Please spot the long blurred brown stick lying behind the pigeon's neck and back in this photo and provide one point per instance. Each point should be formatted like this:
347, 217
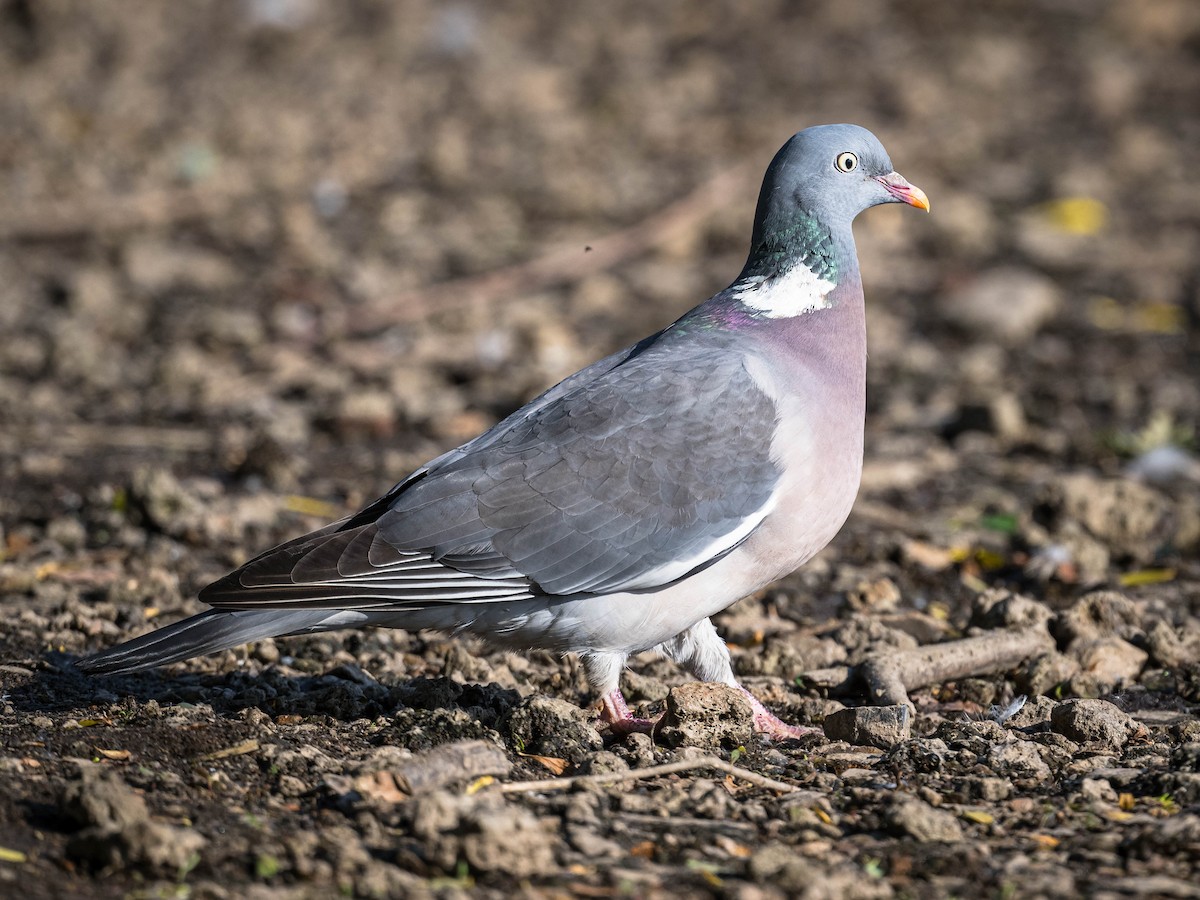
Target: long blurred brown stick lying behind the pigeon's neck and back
565, 263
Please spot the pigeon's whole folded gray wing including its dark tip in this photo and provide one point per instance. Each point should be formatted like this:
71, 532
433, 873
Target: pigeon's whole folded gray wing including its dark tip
625, 481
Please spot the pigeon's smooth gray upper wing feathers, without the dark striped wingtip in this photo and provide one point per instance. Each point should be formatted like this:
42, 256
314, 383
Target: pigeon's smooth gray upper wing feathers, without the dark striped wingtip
613, 483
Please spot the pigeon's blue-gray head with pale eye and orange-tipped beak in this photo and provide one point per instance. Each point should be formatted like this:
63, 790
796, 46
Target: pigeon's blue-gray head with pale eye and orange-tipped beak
825, 177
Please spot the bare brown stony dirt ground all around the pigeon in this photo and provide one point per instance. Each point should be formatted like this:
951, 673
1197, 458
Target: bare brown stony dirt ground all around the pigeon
260, 259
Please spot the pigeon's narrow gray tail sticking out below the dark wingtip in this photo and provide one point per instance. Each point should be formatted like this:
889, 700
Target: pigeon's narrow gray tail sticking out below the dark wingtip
207, 633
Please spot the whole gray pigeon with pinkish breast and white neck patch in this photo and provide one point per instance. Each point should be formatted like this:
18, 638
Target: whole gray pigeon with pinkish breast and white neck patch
622, 509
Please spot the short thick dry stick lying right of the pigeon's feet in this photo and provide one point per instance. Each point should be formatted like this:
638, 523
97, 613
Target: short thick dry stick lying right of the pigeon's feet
891, 676
